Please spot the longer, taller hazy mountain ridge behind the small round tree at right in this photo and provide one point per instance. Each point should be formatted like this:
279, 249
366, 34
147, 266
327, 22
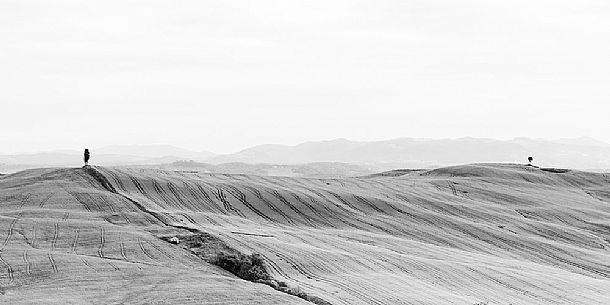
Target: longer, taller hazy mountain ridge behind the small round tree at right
581, 153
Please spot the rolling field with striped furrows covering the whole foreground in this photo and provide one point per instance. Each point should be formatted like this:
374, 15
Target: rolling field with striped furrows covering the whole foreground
473, 234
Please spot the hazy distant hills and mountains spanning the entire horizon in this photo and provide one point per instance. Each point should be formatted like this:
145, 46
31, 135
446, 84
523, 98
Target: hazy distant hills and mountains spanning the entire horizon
578, 153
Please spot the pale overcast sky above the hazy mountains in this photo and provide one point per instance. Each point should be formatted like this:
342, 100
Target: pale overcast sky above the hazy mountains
225, 75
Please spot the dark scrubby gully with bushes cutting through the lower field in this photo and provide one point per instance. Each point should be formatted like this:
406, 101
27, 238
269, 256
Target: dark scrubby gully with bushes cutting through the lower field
249, 267
